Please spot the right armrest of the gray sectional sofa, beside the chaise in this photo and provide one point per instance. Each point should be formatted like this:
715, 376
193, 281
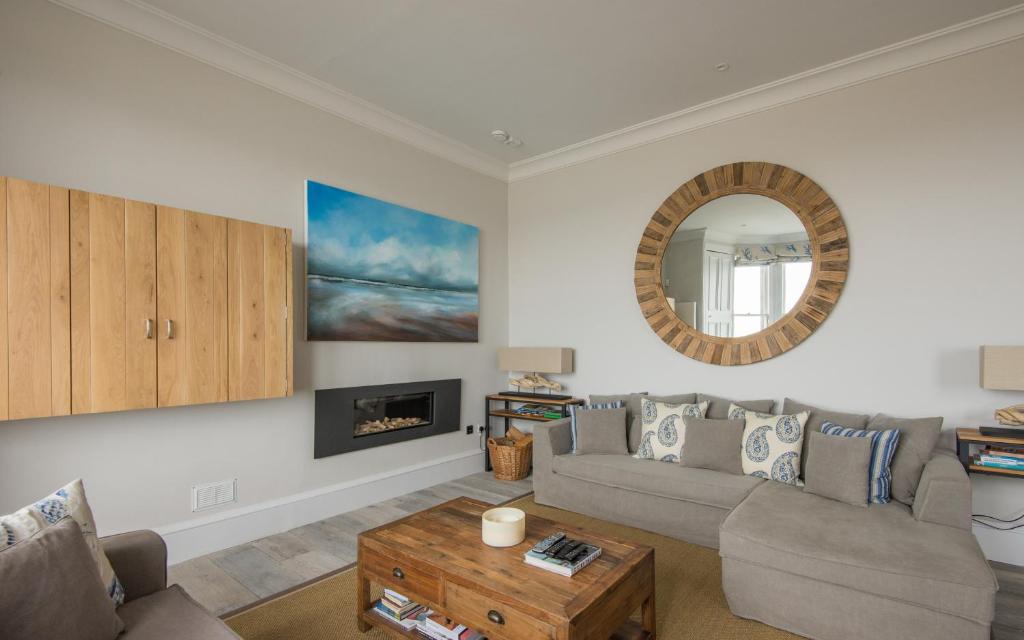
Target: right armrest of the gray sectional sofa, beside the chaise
945, 493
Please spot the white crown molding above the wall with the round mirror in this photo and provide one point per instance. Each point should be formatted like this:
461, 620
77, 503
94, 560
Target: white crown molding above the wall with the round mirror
980, 33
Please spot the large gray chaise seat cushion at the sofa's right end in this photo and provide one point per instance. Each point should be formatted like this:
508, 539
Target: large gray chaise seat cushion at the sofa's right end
881, 550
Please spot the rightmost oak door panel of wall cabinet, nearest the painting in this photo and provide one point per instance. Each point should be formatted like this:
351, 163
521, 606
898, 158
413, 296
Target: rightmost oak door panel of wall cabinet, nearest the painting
260, 323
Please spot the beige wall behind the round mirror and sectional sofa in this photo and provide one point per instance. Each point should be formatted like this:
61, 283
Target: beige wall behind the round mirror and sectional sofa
927, 167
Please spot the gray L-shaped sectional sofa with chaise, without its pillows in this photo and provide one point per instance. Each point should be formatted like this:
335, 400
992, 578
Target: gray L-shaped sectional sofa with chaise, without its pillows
812, 566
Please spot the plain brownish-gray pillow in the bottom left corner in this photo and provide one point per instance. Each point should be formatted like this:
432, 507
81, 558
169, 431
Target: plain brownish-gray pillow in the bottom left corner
52, 588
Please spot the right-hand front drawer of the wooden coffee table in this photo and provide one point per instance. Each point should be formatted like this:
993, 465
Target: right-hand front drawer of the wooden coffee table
495, 620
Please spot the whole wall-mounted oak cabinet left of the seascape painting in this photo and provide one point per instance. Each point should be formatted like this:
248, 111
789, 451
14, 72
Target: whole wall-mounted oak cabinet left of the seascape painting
111, 305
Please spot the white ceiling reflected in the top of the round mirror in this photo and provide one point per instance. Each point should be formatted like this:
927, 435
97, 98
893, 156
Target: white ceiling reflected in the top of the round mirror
745, 215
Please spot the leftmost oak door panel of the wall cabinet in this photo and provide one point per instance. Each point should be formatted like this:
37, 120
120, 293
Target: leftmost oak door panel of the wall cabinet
35, 293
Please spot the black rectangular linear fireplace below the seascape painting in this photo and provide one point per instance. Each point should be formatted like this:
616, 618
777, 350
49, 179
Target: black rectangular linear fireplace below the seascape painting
355, 418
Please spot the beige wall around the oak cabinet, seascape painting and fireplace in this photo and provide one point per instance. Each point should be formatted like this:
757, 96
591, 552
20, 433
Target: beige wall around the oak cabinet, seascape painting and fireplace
87, 106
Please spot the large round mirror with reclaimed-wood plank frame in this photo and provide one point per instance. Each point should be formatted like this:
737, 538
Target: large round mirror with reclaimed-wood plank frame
767, 326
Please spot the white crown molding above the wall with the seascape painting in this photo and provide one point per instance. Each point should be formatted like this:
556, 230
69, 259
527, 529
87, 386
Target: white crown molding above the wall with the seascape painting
161, 28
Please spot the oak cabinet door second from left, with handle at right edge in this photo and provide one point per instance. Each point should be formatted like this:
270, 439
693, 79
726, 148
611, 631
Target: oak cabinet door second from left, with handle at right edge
113, 304
